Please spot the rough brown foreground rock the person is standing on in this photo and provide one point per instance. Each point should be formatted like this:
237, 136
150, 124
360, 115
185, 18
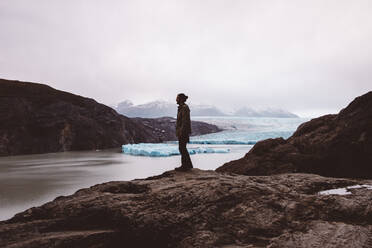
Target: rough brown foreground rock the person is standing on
200, 209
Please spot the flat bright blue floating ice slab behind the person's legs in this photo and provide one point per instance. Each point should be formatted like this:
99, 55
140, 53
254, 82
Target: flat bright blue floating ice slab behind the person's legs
165, 149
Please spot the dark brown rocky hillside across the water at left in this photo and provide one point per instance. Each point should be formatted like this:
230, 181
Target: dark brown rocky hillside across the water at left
35, 118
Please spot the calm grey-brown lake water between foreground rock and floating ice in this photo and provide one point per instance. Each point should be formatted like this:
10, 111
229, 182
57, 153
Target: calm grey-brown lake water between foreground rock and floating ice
31, 180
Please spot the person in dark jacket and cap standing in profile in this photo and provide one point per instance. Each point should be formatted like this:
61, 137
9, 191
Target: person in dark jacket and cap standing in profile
183, 131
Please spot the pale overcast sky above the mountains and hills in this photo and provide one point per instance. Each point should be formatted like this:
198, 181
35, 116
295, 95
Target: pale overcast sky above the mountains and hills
310, 57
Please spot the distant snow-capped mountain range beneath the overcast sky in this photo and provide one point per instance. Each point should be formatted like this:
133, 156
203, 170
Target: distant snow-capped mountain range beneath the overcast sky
162, 108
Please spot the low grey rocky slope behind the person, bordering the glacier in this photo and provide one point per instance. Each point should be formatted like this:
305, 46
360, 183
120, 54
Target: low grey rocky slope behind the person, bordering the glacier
165, 127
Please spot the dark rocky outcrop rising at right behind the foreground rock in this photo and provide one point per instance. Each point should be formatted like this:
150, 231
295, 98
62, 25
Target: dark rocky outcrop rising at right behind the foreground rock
333, 145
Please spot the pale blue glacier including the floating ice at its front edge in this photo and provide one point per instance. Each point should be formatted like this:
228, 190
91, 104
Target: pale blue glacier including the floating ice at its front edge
236, 131
